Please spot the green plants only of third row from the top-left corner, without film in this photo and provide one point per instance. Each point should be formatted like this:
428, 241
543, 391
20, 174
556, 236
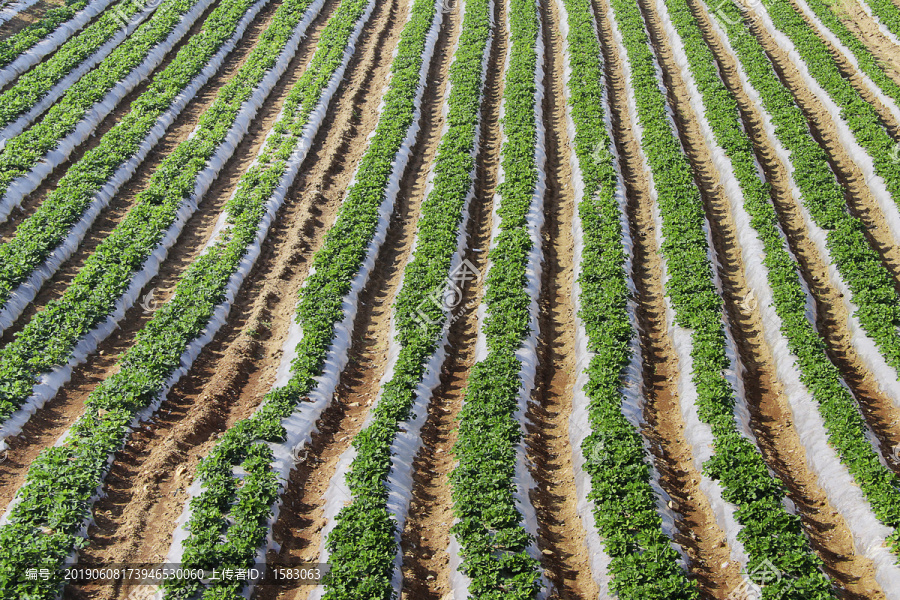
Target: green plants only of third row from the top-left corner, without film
25, 150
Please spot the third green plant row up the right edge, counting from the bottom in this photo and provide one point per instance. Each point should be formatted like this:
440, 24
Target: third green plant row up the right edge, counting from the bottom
861, 116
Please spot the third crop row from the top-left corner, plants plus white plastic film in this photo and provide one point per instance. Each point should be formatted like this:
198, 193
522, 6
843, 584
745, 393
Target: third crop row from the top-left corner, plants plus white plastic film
93, 96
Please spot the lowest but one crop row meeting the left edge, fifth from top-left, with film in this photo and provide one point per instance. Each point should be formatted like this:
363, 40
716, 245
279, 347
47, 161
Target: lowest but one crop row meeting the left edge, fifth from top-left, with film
108, 282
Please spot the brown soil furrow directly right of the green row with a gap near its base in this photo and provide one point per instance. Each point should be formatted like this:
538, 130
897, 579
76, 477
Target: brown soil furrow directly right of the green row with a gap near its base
301, 521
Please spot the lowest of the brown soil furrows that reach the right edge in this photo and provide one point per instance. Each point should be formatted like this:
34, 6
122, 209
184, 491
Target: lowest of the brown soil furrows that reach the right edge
832, 316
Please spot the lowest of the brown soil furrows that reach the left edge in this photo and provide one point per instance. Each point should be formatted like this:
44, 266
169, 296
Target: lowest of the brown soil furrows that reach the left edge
49, 422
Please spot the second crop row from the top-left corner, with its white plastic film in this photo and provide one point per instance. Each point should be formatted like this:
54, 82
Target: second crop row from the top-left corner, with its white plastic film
31, 93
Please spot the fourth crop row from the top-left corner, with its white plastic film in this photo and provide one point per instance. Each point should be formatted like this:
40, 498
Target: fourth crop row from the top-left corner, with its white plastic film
49, 236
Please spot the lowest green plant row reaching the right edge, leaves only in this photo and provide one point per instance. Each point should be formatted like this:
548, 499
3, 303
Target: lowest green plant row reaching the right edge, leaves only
846, 426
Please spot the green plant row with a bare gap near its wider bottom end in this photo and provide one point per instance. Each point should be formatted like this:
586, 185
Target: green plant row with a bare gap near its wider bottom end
228, 522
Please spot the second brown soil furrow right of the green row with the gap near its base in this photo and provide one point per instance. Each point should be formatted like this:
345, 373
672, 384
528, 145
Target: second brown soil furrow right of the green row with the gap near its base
426, 536
